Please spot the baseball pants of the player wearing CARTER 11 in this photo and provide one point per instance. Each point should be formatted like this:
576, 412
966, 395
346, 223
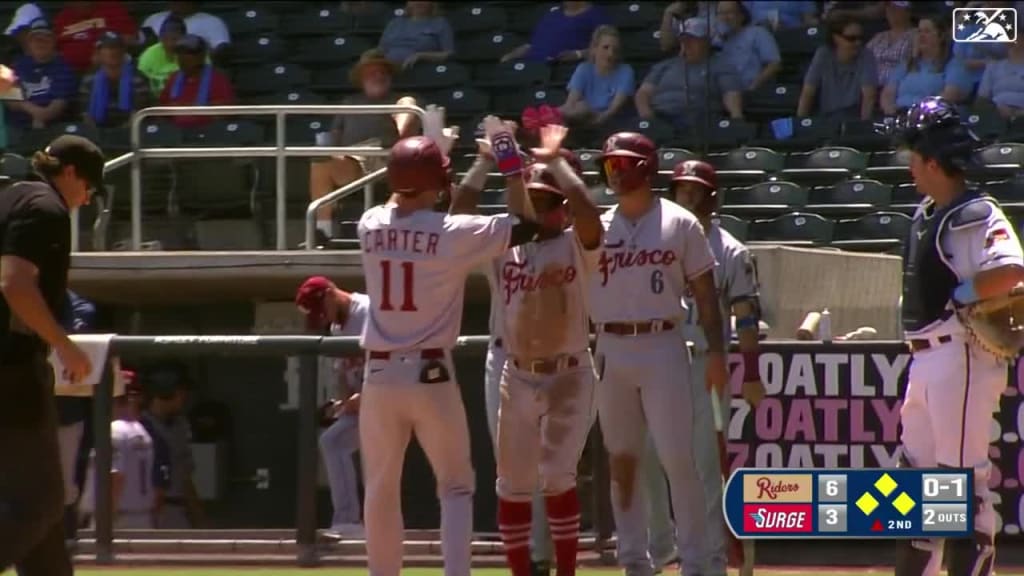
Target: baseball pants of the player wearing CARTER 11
397, 405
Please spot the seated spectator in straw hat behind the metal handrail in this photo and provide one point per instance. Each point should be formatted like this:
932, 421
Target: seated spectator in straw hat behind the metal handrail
372, 75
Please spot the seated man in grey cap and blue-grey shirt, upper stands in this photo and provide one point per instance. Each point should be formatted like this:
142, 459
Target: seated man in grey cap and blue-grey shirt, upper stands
687, 89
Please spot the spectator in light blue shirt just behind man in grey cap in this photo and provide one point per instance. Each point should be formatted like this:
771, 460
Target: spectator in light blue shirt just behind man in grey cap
751, 50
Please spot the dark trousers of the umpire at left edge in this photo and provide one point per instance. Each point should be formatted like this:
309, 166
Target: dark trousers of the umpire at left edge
31, 484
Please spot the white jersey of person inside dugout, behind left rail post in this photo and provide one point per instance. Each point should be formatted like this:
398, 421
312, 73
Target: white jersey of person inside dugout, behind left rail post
134, 461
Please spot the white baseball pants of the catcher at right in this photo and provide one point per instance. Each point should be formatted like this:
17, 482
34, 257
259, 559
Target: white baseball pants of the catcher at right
953, 391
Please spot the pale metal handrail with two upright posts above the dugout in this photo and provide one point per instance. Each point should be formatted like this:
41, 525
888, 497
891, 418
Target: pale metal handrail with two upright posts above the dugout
280, 152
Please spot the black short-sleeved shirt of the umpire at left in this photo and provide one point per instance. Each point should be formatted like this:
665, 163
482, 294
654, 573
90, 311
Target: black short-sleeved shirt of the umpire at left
34, 226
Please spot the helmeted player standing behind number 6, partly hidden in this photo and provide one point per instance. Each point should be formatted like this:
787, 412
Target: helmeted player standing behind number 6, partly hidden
695, 188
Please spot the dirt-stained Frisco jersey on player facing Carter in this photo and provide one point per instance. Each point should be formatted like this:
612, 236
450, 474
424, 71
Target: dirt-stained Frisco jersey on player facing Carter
542, 293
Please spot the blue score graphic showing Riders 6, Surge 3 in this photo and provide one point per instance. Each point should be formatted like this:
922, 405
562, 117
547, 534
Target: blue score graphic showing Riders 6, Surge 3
850, 504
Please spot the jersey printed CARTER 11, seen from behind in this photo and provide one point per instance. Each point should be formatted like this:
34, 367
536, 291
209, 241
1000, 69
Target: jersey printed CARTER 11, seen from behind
416, 268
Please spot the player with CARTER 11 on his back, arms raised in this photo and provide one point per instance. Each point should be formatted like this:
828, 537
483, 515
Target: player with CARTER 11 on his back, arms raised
416, 262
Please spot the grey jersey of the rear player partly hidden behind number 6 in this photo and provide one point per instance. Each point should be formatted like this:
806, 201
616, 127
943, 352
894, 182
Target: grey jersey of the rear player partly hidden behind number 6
736, 278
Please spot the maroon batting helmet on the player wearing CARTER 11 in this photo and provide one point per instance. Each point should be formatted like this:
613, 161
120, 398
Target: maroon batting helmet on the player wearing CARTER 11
416, 166
